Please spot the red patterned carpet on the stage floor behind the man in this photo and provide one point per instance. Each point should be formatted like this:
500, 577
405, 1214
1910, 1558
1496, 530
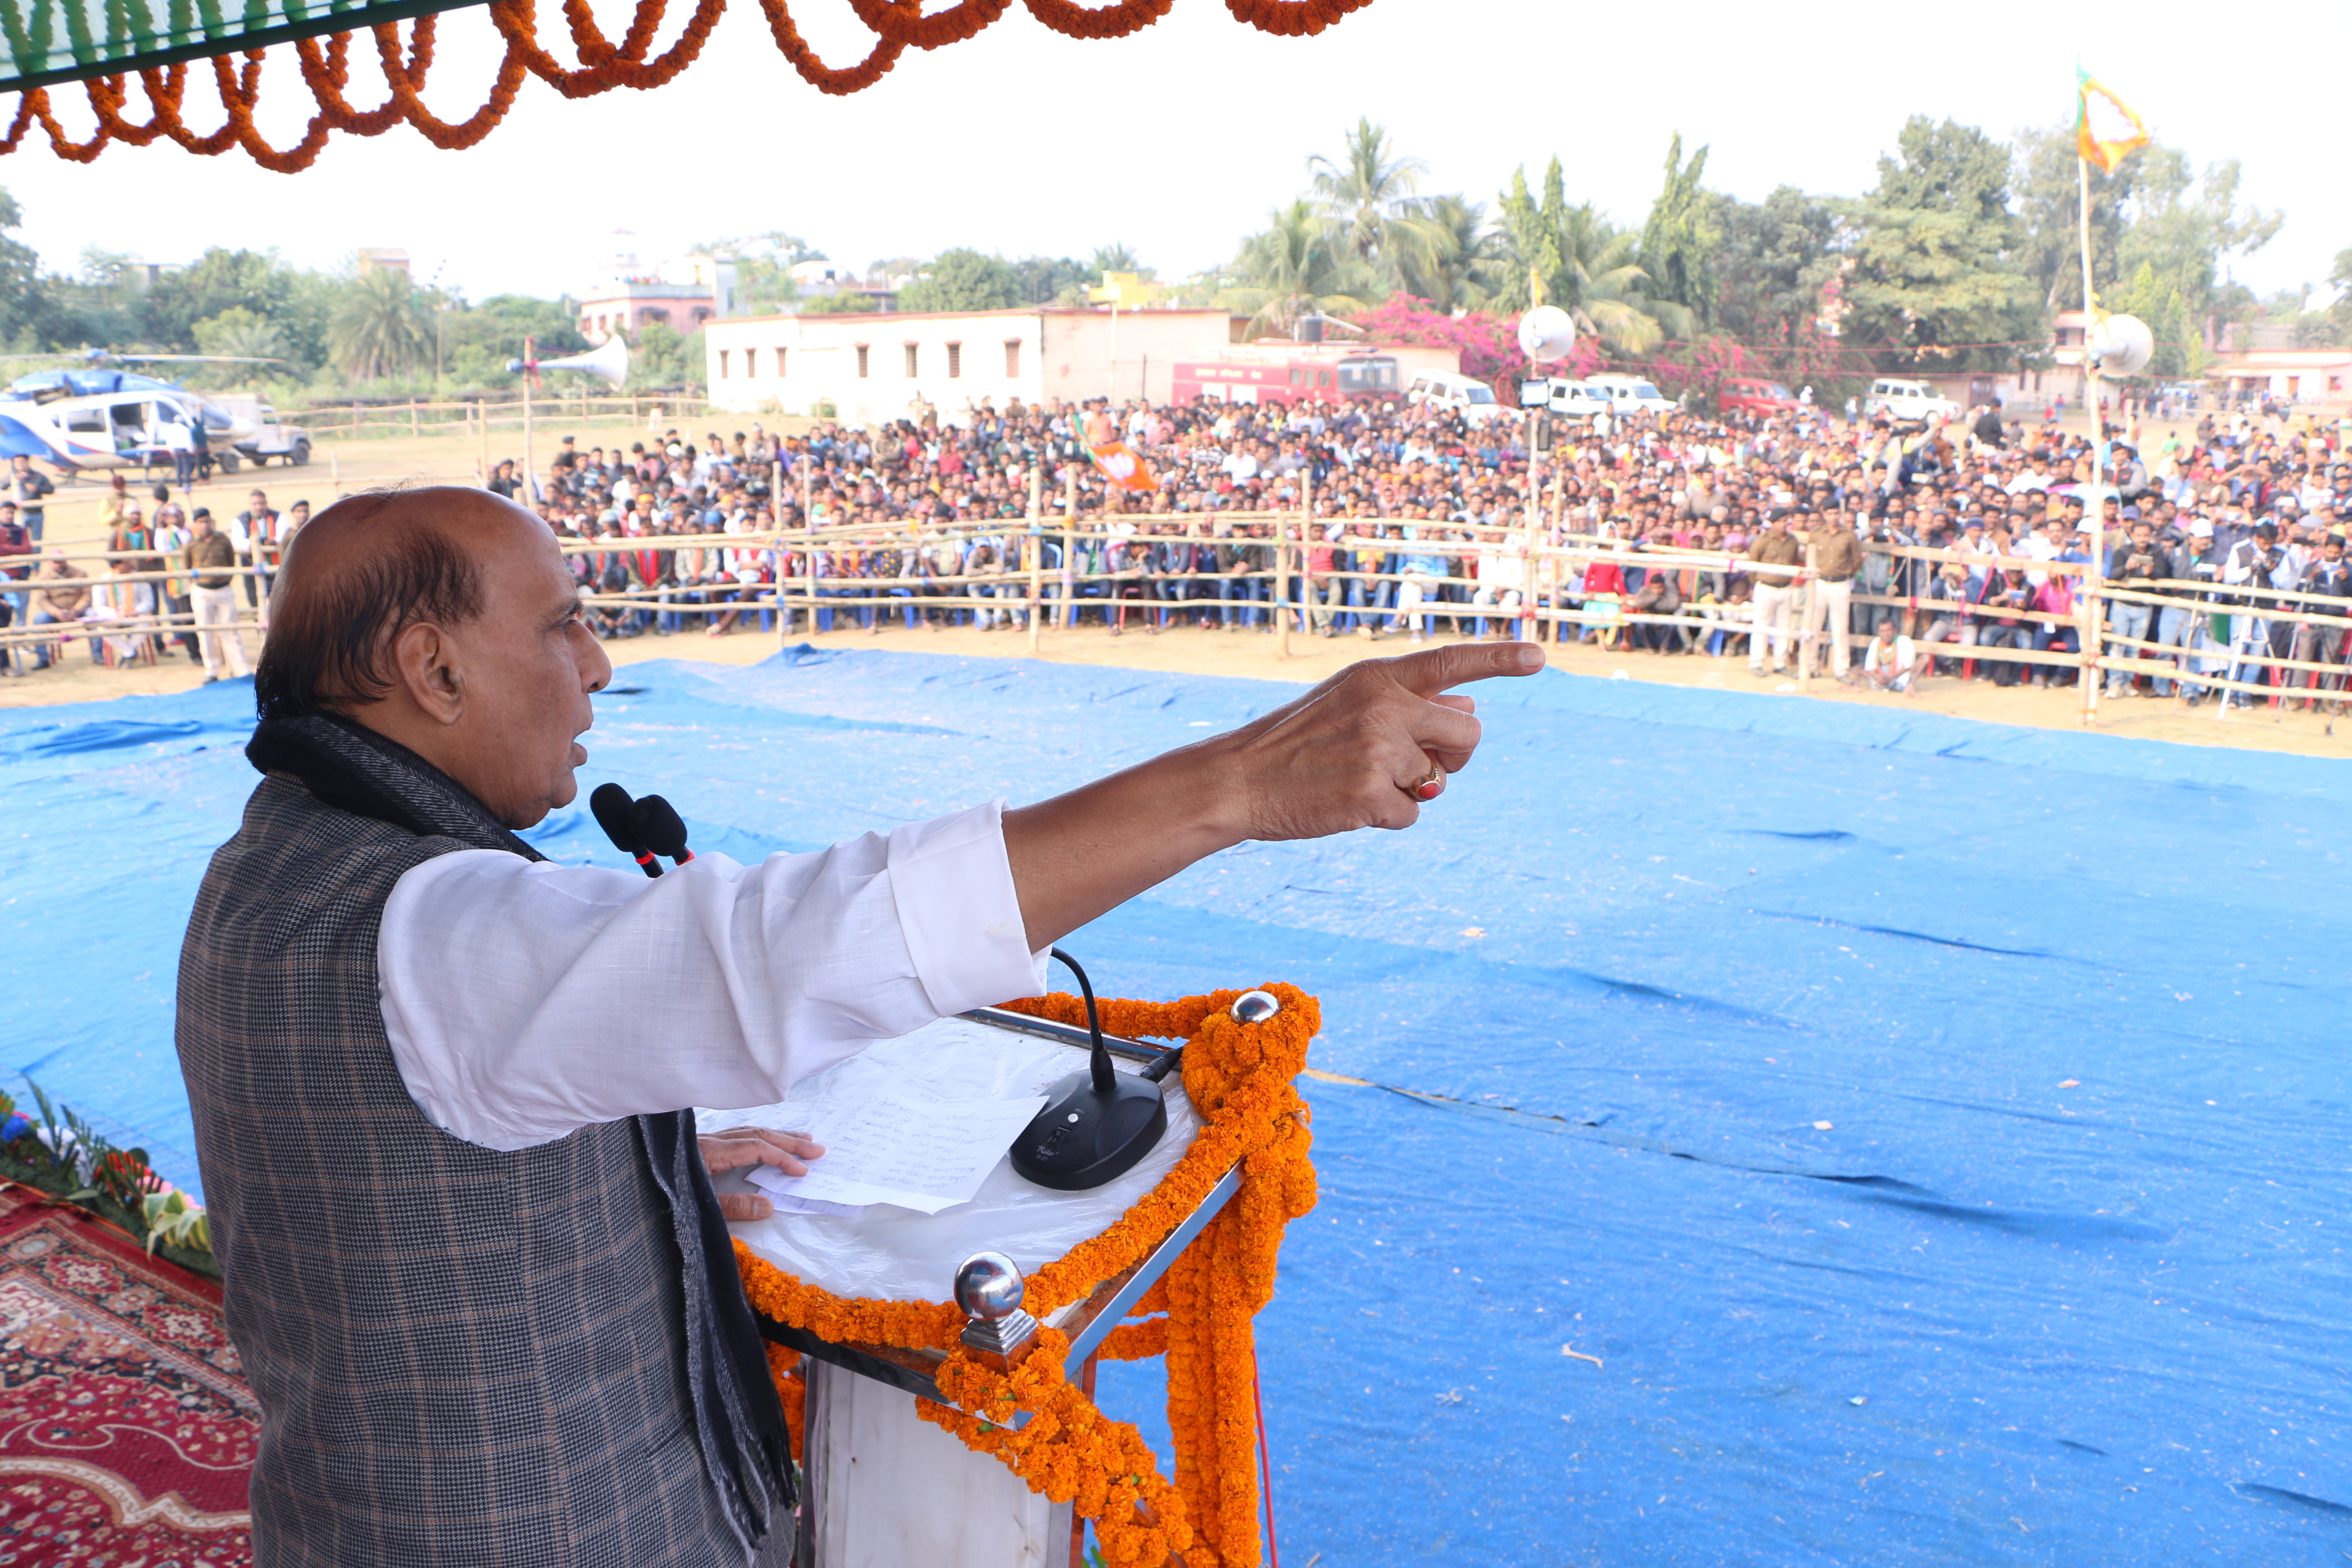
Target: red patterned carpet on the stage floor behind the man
126, 1430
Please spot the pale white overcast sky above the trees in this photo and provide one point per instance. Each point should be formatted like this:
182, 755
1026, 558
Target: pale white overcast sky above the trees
1184, 138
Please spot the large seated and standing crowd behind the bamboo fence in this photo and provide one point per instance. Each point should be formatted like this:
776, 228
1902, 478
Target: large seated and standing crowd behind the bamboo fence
1746, 537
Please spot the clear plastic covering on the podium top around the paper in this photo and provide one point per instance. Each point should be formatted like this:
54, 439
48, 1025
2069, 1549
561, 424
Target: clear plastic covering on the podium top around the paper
900, 1254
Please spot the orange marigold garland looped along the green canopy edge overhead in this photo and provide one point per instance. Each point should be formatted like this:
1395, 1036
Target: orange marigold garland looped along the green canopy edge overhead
603, 65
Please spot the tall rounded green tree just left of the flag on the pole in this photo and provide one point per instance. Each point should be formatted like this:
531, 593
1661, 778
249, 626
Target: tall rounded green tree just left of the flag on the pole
1935, 248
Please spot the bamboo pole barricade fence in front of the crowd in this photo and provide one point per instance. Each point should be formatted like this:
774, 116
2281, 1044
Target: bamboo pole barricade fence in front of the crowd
1022, 587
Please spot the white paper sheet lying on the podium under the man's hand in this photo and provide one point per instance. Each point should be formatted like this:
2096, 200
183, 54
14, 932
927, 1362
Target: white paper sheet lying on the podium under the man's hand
923, 1155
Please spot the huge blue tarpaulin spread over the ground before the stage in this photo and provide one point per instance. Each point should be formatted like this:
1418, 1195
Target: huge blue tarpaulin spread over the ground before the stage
1932, 1132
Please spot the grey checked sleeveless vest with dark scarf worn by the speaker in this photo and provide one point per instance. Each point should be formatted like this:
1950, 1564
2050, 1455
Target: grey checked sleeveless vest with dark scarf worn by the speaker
462, 1358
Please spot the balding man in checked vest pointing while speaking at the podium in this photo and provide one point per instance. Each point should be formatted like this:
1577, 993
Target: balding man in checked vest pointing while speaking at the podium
443, 1087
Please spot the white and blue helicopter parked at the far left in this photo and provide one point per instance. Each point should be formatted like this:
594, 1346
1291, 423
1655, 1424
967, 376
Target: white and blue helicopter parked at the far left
88, 415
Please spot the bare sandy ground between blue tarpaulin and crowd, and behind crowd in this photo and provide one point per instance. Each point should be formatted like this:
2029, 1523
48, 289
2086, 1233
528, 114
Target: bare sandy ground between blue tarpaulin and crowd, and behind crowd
345, 467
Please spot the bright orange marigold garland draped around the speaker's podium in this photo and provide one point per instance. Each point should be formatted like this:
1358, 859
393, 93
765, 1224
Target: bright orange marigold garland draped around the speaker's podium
1238, 1078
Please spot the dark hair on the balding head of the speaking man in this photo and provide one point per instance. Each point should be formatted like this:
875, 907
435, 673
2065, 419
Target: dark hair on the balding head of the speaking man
333, 643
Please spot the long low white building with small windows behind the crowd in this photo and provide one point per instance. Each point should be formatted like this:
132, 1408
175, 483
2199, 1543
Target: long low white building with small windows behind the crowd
878, 368
